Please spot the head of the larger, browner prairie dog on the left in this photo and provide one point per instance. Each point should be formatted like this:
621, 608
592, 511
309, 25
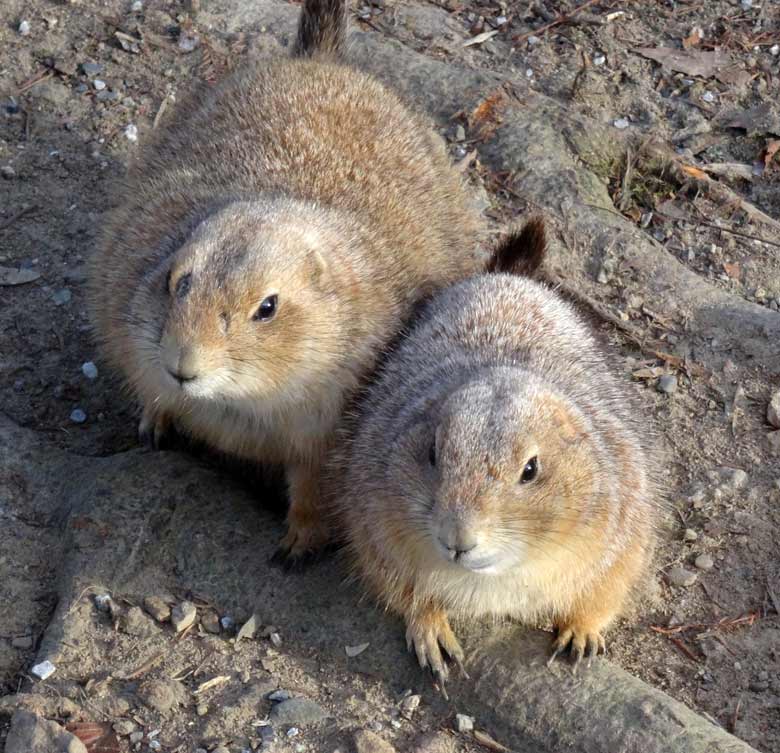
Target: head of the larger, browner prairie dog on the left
243, 308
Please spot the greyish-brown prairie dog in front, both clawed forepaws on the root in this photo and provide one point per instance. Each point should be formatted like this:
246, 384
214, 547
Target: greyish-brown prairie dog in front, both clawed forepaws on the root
495, 468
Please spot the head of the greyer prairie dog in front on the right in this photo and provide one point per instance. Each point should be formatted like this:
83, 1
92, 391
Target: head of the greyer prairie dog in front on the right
506, 472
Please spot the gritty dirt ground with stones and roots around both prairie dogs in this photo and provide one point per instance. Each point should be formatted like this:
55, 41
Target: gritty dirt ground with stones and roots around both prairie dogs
658, 180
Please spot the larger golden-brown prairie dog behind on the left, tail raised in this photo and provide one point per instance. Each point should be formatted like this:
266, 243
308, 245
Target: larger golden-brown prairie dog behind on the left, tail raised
268, 244
